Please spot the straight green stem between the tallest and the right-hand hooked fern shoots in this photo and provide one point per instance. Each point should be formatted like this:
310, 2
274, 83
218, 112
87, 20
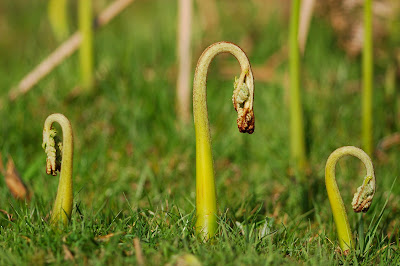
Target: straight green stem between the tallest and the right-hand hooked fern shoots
297, 145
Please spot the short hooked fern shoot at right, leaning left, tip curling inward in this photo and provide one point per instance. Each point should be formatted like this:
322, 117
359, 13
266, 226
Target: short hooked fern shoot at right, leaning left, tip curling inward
362, 198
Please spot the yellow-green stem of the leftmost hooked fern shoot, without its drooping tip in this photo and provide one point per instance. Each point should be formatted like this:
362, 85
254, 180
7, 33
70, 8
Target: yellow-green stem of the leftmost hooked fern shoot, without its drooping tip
63, 204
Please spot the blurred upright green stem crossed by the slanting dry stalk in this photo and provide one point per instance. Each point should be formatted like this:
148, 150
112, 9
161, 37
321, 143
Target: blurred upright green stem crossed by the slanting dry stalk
86, 49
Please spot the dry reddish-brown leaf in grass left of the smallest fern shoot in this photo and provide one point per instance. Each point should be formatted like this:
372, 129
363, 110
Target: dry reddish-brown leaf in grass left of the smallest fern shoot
14, 182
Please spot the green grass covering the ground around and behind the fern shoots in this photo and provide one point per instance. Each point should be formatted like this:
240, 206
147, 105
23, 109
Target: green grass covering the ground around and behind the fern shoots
134, 165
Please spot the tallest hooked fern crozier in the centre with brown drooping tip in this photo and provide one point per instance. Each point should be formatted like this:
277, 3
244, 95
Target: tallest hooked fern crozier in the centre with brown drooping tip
243, 96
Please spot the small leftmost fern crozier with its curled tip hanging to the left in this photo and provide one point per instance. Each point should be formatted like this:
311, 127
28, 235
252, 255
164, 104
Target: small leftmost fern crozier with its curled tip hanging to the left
59, 158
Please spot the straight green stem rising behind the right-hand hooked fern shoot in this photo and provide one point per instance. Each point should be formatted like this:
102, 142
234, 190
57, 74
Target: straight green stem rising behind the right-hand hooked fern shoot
367, 80
